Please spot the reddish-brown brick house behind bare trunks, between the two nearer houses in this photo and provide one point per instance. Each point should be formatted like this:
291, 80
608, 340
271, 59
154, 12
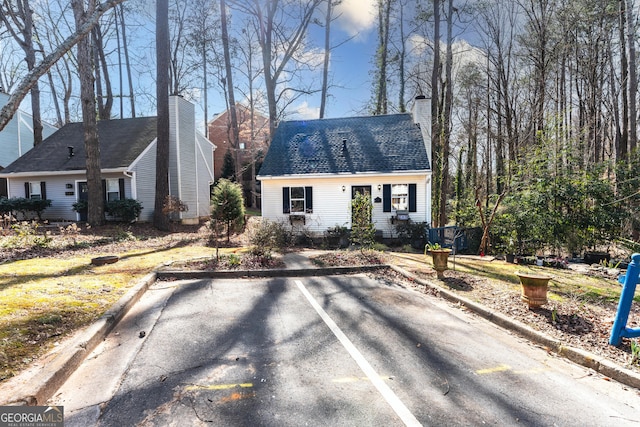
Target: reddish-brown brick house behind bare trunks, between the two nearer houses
253, 142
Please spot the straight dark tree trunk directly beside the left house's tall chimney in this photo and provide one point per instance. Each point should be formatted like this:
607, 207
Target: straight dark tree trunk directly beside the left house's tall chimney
160, 220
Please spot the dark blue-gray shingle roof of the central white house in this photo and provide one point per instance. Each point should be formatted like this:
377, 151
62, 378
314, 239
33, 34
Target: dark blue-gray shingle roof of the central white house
388, 143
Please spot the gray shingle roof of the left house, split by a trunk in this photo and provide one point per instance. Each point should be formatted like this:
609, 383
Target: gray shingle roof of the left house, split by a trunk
121, 142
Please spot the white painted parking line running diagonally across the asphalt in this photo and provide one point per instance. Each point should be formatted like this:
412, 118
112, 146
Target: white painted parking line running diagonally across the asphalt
392, 399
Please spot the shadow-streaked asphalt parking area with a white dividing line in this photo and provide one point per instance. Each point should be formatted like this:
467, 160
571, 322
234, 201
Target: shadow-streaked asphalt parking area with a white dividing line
326, 351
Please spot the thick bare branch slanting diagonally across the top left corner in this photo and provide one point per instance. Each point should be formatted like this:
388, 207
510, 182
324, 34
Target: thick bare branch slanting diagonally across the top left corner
8, 111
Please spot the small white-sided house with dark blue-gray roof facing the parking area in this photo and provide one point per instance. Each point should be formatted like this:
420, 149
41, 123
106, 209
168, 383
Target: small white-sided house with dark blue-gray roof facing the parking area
314, 168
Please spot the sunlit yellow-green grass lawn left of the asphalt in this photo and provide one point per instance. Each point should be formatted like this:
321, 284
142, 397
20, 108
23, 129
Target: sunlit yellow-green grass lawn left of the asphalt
42, 300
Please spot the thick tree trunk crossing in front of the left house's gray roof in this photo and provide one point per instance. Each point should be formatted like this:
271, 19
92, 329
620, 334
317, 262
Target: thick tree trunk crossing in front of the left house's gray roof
95, 213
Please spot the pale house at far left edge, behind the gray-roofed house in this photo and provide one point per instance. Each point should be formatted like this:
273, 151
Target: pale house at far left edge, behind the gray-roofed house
17, 138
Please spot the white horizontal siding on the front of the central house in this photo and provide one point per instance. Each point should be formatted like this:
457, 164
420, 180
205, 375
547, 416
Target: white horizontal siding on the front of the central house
332, 206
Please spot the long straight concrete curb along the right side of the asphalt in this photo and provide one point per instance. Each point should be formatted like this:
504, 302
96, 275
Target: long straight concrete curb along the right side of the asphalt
599, 364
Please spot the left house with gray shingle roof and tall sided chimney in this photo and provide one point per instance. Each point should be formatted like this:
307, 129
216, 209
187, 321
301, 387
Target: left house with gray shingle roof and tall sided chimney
56, 169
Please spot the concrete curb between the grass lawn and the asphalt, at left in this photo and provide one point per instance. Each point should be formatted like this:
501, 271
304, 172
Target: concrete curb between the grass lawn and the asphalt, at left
37, 384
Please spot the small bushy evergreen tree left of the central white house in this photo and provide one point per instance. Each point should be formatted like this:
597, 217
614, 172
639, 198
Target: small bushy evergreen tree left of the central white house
227, 206
